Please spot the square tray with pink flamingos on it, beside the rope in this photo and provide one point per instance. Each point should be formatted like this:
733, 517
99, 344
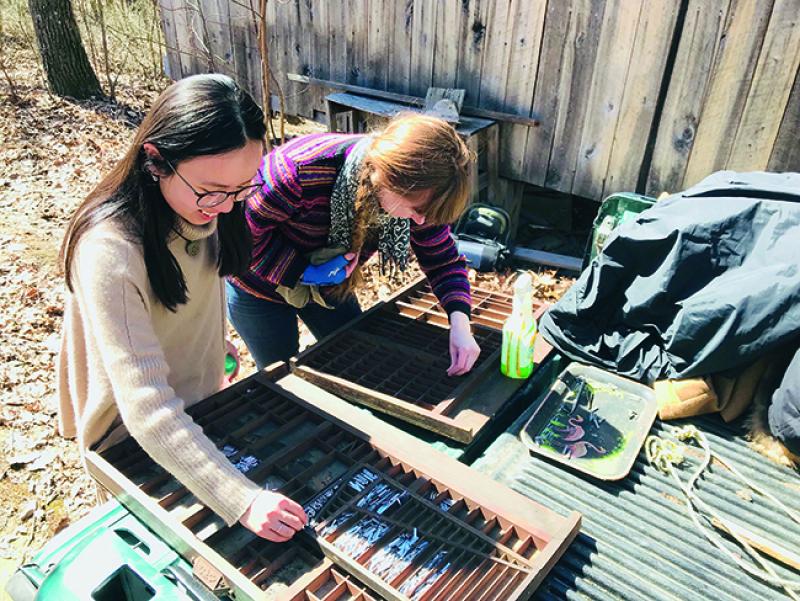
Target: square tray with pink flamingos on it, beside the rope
592, 421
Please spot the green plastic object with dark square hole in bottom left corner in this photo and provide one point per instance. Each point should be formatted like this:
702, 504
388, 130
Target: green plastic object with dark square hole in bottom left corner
109, 555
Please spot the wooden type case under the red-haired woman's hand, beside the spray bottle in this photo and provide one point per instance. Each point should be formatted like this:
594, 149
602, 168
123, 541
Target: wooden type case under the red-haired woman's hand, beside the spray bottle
394, 358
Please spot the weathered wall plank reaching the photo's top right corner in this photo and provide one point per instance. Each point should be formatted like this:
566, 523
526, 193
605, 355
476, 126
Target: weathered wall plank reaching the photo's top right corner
772, 83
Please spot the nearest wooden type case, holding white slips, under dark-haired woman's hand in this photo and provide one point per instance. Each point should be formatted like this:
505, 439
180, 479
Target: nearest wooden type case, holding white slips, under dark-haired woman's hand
462, 535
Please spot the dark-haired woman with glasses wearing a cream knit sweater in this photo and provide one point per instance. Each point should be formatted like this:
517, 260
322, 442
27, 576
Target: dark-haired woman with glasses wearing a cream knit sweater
144, 323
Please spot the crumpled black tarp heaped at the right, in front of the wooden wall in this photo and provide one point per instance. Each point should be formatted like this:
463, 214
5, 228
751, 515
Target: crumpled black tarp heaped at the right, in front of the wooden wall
702, 282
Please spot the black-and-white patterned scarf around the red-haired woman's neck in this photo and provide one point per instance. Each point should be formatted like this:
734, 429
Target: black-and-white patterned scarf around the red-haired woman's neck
394, 233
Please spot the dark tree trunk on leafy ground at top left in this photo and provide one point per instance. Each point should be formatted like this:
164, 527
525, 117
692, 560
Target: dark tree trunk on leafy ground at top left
69, 71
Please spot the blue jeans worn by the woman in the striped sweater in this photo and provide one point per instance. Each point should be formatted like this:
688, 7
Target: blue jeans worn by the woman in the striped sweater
270, 329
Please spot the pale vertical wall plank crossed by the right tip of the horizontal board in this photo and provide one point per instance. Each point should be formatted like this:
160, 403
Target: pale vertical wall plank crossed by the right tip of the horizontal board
528, 20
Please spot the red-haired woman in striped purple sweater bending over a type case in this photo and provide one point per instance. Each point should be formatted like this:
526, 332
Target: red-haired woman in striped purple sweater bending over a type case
329, 202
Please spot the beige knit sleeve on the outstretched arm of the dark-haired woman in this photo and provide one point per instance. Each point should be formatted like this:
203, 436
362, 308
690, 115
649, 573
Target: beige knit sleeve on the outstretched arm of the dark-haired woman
112, 280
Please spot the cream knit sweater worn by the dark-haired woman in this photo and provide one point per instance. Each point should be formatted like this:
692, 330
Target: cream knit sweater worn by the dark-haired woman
124, 354
